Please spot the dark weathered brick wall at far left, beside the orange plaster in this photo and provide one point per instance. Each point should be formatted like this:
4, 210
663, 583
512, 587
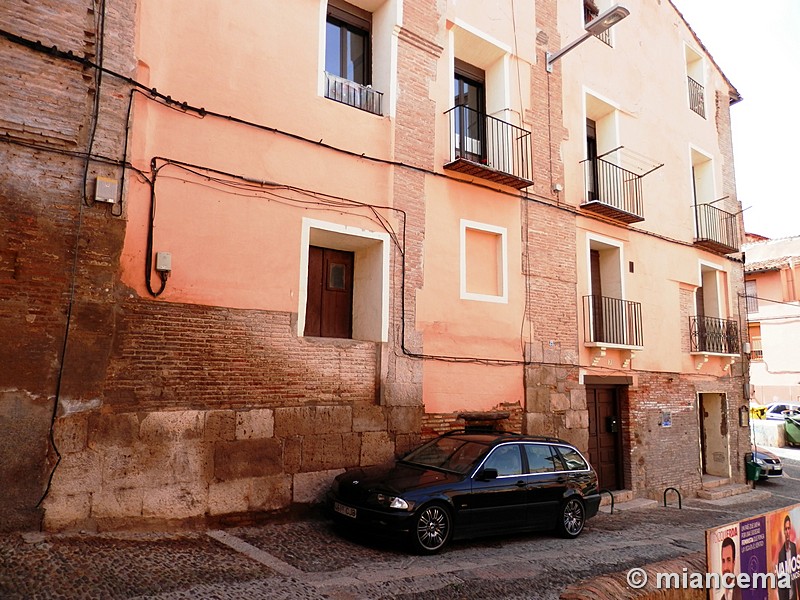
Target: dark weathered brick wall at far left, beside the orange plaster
48, 102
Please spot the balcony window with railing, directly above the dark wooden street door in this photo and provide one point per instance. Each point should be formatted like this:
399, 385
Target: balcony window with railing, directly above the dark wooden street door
609, 320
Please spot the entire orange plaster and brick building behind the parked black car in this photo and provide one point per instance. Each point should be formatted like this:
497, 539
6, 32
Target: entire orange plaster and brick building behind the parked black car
269, 242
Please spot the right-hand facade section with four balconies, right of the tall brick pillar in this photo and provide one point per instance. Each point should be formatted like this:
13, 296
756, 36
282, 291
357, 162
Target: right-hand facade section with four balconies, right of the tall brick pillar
648, 163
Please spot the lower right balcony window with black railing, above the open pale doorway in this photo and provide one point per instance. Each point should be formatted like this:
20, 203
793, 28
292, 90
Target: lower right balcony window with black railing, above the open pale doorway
711, 332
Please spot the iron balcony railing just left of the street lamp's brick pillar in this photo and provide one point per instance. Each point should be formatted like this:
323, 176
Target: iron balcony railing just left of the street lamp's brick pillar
489, 148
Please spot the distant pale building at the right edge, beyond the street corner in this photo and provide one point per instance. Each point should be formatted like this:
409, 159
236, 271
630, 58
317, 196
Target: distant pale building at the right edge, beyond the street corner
772, 286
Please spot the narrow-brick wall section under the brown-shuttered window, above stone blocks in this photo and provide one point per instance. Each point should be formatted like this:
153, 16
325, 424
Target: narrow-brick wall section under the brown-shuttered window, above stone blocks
176, 356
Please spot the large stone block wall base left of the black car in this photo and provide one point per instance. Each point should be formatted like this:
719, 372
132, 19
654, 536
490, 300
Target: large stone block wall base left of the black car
188, 467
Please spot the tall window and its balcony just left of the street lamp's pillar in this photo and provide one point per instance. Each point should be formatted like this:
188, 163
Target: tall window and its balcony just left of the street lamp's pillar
484, 140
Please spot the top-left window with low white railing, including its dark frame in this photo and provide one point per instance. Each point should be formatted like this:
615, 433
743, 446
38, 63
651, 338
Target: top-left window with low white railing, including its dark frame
348, 57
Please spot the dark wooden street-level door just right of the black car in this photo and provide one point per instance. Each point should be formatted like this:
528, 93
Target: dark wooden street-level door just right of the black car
605, 435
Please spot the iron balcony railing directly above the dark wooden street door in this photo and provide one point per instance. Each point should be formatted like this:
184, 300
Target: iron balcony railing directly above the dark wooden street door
612, 321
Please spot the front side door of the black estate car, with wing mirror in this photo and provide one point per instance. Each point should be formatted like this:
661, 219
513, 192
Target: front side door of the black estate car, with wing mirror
499, 503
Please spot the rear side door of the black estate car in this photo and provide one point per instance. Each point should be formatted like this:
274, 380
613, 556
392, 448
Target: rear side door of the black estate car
547, 484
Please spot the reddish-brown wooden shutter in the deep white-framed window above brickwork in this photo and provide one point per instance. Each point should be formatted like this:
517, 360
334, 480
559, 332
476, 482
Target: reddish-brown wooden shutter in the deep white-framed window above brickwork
329, 305
